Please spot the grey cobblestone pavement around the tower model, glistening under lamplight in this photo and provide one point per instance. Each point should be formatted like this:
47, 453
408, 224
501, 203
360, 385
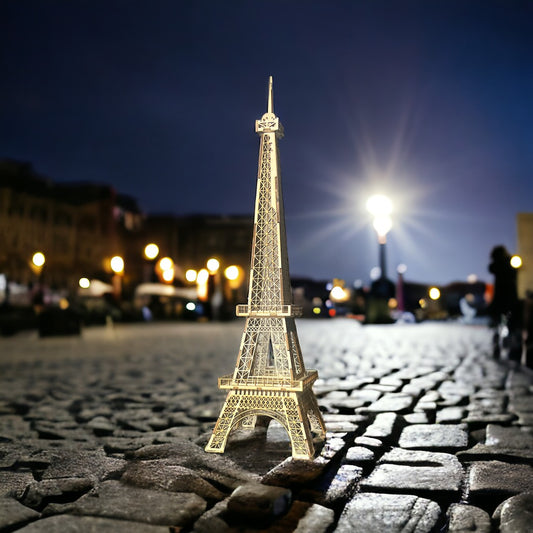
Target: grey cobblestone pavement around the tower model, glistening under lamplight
105, 433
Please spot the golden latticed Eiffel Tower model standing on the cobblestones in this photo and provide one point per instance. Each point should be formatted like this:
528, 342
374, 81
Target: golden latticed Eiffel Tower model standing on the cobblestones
270, 381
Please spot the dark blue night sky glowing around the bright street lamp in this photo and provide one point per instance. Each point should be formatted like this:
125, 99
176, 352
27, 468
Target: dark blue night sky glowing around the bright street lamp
429, 102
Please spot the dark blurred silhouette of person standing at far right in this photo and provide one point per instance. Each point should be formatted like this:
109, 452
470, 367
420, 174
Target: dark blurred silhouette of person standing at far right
504, 309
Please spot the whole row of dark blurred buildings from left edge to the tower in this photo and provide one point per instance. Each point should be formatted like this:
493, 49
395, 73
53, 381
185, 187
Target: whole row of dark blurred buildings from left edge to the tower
80, 226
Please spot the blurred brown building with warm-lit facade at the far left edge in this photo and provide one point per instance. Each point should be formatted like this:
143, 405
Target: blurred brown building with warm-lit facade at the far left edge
75, 225
